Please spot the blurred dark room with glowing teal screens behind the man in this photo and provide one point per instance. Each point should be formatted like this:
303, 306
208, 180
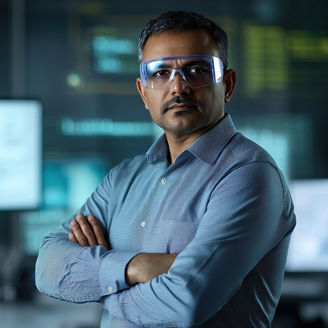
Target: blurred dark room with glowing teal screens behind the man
69, 111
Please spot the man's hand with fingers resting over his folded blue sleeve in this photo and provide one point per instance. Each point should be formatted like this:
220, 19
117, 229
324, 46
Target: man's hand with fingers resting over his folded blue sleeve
87, 231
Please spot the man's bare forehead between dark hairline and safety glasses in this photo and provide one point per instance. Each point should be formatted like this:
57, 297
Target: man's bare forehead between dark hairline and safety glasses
171, 43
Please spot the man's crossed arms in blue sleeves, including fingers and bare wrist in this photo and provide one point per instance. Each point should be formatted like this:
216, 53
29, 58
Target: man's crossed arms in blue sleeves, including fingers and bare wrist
199, 281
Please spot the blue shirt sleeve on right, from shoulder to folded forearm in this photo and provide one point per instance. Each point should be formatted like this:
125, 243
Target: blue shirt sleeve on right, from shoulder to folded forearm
248, 214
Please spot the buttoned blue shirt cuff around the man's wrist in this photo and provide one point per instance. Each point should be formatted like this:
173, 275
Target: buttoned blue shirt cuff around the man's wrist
112, 271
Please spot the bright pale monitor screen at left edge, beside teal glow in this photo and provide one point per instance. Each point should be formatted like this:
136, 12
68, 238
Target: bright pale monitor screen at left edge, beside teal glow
20, 154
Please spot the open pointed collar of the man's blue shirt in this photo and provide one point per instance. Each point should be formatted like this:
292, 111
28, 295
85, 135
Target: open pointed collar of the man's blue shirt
206, 148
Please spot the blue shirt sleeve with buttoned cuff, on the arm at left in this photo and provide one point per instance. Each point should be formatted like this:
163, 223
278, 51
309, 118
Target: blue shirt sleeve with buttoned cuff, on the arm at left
70, 272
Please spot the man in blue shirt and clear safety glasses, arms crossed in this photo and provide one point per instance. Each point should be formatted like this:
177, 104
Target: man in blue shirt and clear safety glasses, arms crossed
199, 226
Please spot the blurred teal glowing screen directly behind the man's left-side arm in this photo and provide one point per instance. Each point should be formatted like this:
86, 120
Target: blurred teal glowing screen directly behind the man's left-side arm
64, 192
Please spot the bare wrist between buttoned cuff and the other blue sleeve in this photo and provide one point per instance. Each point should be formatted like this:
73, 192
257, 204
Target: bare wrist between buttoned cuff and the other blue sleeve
147, 266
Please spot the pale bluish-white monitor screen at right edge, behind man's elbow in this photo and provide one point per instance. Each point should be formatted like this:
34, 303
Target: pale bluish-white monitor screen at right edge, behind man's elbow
308, 251
